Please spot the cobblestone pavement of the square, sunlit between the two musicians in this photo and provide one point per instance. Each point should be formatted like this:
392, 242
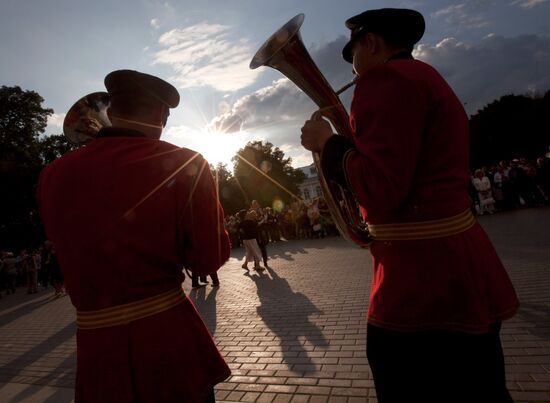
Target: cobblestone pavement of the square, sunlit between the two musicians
295, 332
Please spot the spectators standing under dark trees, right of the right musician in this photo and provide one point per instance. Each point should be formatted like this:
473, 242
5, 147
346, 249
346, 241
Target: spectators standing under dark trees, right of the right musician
510, 185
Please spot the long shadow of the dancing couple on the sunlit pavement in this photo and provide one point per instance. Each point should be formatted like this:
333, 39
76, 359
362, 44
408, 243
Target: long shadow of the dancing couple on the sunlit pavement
287, 313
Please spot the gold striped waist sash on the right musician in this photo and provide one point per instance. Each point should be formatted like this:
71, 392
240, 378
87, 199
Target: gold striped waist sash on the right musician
423, 229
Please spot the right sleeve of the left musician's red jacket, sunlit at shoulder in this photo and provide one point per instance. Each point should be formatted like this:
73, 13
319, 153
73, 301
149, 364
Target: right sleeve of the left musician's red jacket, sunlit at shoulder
205, 241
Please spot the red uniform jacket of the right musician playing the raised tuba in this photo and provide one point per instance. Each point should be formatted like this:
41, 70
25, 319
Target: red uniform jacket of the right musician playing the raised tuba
408, 162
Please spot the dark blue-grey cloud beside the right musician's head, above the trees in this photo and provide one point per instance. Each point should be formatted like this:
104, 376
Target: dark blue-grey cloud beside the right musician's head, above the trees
483, 72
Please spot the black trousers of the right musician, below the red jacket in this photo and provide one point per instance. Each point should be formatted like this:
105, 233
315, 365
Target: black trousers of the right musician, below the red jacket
437, 366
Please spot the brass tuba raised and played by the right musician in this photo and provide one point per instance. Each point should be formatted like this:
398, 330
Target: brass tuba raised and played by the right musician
285, 51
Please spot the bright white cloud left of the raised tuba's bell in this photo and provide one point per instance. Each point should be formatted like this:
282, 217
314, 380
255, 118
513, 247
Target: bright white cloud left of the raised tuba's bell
206, 55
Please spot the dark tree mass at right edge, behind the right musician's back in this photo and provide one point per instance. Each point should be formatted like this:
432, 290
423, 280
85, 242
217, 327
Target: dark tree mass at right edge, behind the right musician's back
514, 126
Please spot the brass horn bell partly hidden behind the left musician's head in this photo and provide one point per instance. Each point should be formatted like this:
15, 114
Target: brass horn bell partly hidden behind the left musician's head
86, 117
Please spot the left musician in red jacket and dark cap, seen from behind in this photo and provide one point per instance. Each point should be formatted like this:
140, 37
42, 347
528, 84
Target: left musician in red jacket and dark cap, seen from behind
126, 213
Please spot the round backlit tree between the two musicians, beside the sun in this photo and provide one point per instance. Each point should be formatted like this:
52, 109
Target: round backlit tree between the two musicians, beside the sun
265, 175
